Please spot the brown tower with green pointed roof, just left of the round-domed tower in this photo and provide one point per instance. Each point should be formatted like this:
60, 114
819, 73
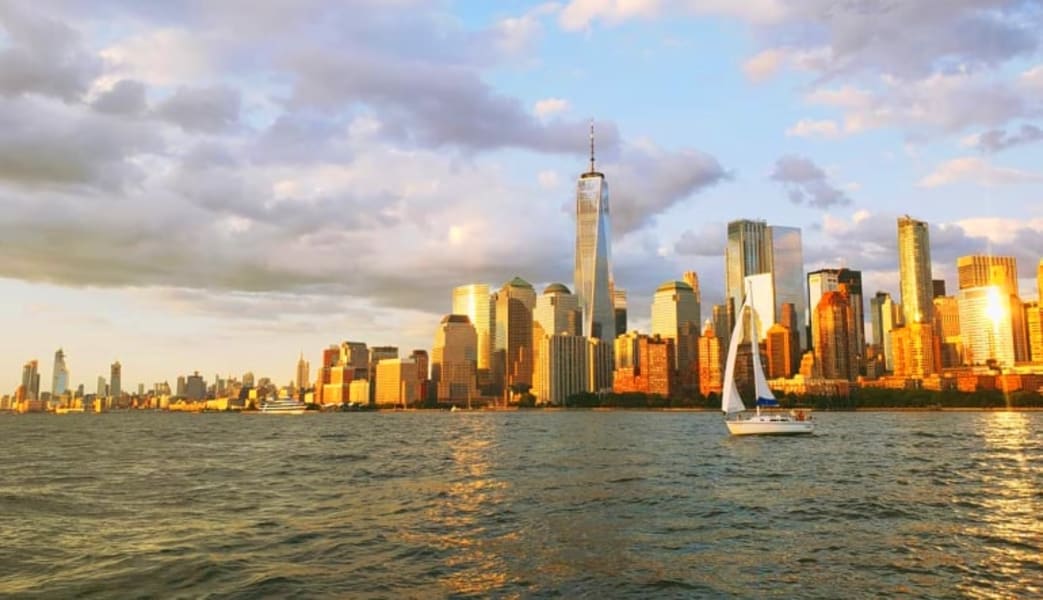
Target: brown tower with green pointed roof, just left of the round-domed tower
513, 364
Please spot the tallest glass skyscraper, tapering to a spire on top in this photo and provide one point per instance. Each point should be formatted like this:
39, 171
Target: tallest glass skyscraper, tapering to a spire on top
593, 275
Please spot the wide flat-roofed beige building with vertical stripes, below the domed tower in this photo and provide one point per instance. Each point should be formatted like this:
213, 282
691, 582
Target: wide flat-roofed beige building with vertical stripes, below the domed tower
562, 367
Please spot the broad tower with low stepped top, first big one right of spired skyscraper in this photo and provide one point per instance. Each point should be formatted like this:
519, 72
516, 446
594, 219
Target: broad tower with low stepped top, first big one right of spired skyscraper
675, 316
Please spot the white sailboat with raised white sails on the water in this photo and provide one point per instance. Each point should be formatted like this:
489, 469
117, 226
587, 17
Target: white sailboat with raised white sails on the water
769, 423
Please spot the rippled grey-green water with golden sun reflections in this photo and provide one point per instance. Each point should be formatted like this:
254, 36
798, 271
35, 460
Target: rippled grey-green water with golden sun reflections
520, 505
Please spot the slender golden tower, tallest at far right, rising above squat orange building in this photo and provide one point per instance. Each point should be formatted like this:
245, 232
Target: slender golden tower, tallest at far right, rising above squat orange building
914, 271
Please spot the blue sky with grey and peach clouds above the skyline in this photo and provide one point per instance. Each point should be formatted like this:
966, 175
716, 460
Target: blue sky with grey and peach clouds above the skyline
219, 187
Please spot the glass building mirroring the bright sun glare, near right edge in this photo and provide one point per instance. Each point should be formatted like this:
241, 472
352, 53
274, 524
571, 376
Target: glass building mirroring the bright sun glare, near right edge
986, 326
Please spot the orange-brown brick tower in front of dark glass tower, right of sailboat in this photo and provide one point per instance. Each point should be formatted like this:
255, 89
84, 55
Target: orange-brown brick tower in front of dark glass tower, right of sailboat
835, 338
